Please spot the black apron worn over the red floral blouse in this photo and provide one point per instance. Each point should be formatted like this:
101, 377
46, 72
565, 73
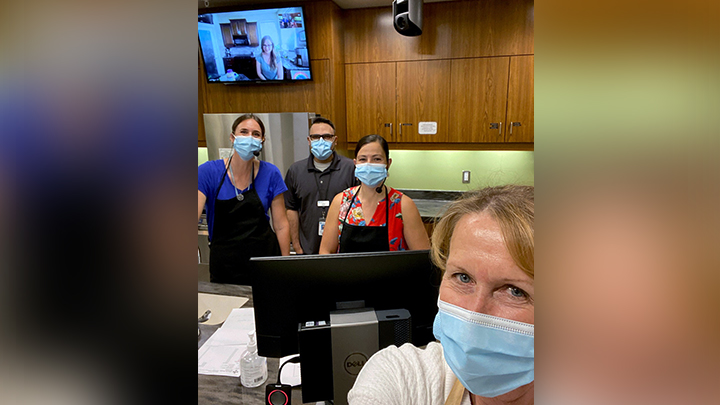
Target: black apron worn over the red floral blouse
356, 238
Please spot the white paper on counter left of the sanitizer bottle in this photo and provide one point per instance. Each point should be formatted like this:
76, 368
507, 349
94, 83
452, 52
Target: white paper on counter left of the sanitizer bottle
220, 355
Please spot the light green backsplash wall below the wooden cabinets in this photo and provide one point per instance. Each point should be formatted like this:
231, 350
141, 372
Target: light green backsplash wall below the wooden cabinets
442, 170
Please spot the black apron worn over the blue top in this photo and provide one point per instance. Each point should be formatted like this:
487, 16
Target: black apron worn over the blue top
240, 231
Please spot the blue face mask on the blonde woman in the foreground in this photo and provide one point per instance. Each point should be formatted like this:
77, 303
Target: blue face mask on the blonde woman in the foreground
490, 356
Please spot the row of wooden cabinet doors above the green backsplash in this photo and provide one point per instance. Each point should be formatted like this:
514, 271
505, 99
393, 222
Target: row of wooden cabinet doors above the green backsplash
485, 100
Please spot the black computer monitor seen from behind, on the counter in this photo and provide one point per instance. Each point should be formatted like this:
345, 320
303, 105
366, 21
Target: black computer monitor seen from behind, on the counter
289, 290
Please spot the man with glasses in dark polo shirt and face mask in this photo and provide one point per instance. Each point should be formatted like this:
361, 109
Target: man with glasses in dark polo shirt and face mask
312, 183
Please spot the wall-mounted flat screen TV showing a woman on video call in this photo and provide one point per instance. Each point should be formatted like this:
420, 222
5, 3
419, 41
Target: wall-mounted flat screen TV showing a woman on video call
251, 46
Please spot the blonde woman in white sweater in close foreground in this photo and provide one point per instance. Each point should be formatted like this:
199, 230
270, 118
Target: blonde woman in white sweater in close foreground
485, 247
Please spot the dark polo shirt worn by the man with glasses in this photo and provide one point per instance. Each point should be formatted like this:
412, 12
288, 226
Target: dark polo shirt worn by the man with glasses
303, 180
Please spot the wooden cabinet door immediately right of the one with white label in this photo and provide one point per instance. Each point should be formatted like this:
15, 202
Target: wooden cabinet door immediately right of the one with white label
479, 96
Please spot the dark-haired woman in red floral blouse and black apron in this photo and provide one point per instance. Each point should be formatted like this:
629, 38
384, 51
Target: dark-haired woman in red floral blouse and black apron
372, 217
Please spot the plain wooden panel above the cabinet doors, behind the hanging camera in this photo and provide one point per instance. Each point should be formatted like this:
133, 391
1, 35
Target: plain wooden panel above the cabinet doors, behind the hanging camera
451, 30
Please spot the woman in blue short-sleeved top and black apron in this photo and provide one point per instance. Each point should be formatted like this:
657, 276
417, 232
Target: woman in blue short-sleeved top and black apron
238, 193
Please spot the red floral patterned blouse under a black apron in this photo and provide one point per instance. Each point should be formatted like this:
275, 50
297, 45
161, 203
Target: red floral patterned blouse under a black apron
356, 217
